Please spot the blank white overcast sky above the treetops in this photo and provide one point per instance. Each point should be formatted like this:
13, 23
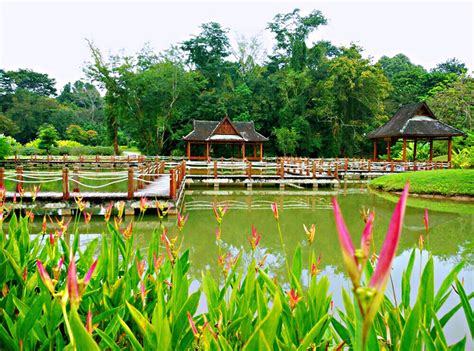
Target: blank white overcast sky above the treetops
50, 37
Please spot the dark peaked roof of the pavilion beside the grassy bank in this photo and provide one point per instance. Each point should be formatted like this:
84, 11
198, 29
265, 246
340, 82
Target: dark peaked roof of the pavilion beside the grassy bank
414, 121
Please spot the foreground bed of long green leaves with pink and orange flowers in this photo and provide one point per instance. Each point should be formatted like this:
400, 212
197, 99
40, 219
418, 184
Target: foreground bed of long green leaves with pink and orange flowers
111, 295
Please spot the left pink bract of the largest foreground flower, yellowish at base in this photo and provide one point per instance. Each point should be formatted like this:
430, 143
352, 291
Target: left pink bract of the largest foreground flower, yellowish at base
347, 247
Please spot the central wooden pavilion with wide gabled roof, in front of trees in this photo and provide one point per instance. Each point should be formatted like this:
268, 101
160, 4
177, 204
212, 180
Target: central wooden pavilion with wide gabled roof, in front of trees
240, 134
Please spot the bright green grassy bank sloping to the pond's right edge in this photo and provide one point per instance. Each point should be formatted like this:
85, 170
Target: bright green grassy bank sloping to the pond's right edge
440, 182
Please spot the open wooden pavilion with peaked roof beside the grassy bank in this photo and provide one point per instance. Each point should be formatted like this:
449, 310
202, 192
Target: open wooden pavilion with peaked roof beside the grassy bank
414, 122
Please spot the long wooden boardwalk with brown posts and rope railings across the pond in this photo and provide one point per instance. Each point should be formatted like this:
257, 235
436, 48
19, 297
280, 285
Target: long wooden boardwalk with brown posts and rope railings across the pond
164, 179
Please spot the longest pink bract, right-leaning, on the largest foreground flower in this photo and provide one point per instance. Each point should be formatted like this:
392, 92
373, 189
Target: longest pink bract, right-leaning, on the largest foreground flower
387, 254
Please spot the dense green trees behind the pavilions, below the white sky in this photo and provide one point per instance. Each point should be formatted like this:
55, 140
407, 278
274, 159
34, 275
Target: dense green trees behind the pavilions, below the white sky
312, 99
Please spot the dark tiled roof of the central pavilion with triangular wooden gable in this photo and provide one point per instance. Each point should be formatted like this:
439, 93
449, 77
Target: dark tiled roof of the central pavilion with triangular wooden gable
224, 131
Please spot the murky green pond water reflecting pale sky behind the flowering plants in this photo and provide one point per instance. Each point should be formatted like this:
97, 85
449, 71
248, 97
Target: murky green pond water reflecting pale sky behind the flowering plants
450, 236
